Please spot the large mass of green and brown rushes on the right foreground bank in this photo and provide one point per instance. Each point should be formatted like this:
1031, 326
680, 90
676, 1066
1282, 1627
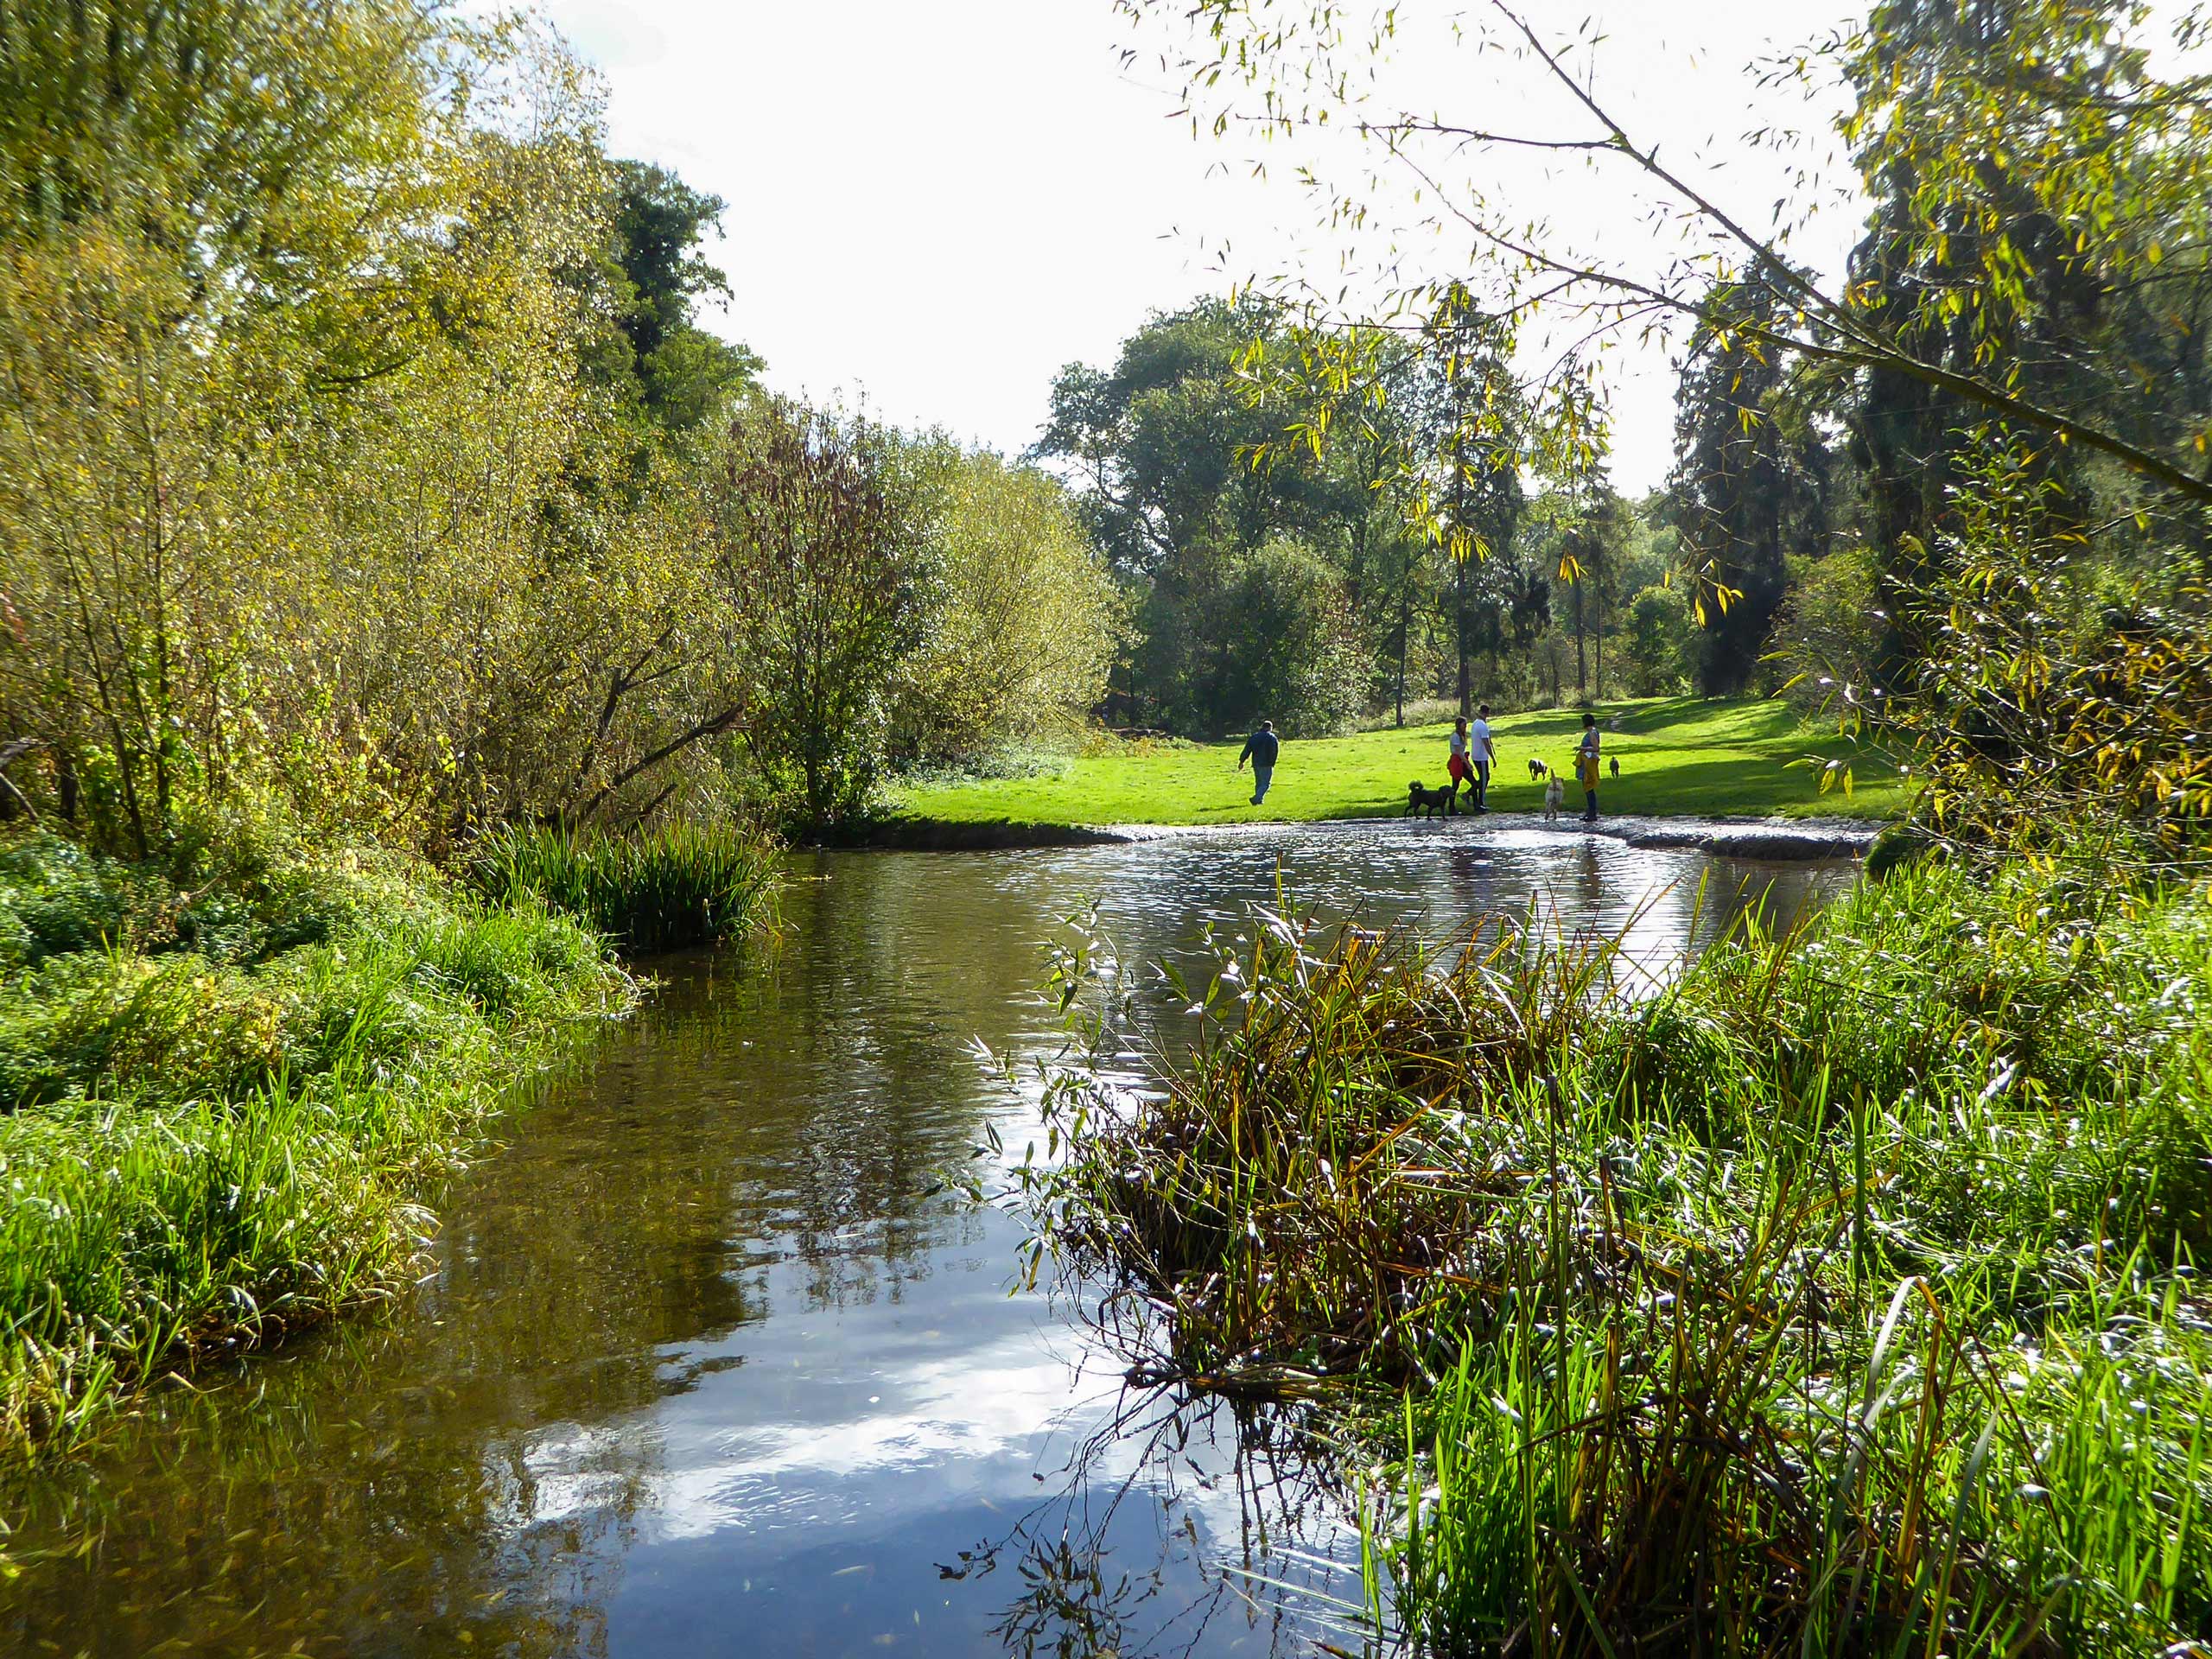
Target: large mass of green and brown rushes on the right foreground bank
1837, 1297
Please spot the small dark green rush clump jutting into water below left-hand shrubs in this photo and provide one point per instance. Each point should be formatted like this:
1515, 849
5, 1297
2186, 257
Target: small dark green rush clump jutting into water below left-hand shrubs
660, 890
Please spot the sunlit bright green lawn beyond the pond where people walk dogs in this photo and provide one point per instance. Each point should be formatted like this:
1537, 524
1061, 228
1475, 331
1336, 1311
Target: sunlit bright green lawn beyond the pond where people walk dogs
1680, 758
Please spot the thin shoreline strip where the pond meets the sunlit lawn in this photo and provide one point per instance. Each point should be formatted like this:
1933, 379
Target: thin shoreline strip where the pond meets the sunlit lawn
1771, 839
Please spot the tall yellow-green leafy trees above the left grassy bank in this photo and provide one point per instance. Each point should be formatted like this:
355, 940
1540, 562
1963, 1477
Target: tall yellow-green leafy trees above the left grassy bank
306, 280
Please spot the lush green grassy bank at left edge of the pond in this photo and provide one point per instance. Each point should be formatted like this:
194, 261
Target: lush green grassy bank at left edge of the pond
202, 1154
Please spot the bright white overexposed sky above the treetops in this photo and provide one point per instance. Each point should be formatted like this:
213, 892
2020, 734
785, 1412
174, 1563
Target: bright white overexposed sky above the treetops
935, 205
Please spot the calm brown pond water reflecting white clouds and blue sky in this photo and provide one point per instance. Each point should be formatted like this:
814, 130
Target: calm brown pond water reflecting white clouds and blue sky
713, 1361
